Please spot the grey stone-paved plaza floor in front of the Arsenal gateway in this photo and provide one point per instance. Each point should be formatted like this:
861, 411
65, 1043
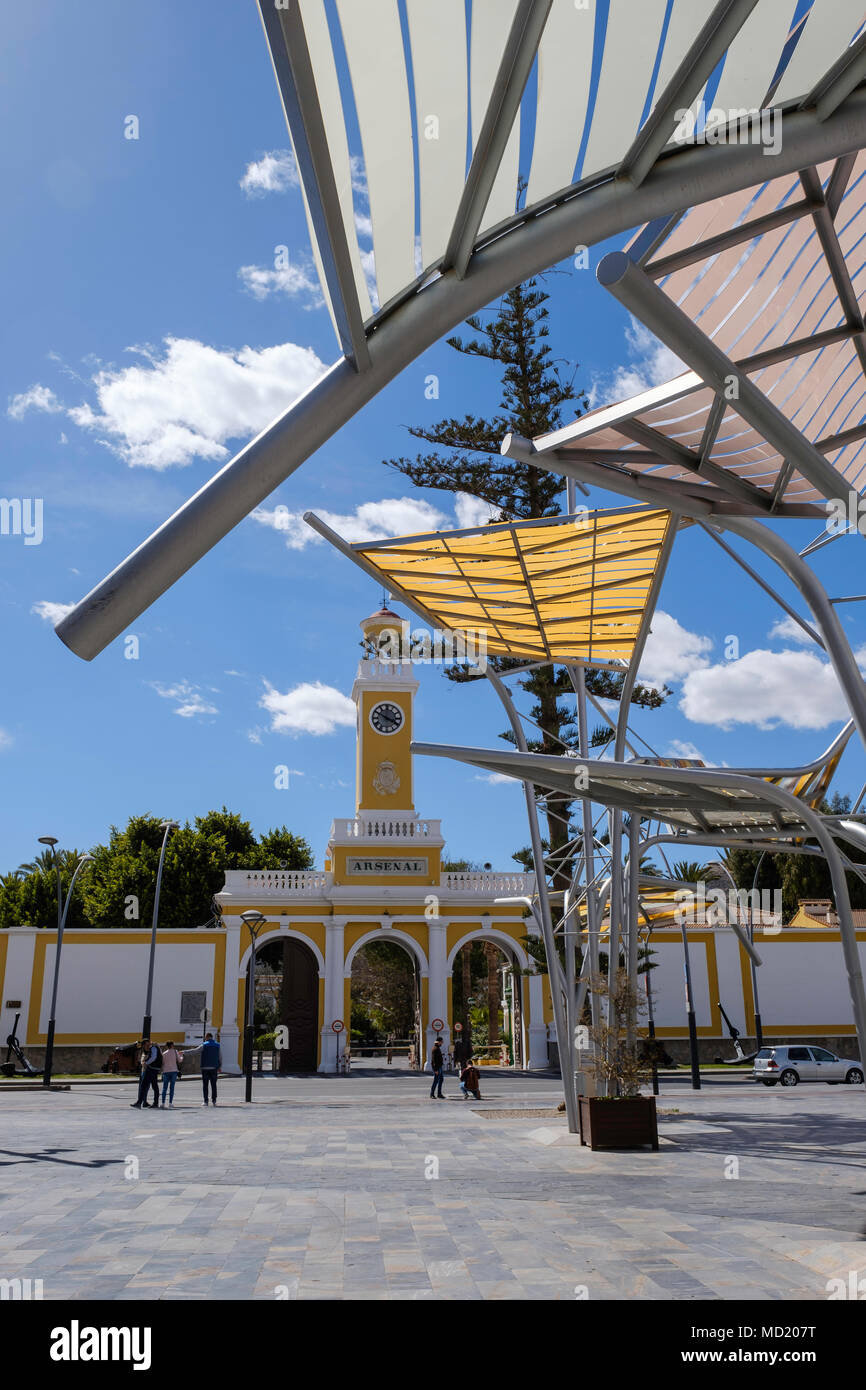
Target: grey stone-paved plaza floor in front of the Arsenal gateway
363, 1188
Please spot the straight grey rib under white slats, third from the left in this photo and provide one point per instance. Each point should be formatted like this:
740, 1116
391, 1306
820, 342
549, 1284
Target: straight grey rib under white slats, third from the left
705, 54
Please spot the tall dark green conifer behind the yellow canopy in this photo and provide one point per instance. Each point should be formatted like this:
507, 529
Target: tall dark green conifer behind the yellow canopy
466, 458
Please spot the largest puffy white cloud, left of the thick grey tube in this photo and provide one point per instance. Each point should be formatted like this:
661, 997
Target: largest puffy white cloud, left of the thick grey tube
188, 402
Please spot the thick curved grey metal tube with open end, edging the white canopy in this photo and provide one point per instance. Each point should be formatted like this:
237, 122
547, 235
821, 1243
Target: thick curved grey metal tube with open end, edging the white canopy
523, 250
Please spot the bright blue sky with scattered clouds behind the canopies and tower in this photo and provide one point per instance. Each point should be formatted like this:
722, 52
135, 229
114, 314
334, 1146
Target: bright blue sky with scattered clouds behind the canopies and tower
136, 280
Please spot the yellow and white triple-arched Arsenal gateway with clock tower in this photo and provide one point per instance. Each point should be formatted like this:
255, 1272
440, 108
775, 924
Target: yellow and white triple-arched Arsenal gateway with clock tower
383, 881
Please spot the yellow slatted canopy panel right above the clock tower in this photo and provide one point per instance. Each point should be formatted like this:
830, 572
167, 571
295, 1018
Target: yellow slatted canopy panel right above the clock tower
568, 589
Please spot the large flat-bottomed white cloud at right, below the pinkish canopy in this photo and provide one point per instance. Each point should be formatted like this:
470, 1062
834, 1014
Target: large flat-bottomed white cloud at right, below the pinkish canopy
767, 690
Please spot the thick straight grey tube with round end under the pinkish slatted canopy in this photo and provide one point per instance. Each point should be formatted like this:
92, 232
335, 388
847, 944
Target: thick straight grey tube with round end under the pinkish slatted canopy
642, 297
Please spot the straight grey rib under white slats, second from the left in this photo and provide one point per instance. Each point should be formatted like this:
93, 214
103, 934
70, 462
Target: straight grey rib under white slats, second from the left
503, 109
